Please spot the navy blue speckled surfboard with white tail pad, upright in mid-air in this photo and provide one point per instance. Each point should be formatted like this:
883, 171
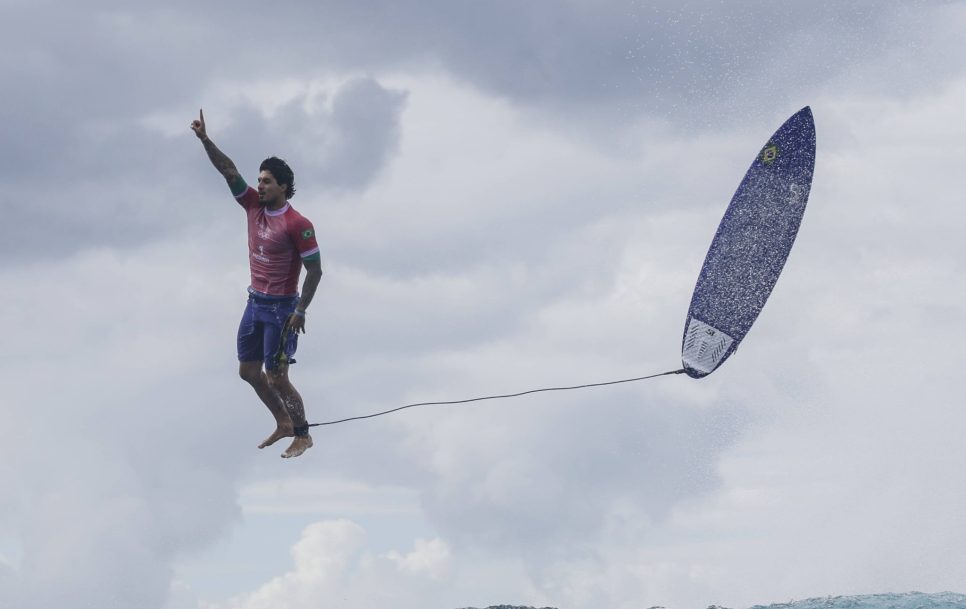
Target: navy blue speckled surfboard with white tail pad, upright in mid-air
750, 246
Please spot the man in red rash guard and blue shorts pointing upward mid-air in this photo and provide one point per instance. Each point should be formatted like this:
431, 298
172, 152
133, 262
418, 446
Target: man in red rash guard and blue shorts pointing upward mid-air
280, 242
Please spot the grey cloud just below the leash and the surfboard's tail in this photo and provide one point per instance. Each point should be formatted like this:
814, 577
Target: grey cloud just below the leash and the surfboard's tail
541, 478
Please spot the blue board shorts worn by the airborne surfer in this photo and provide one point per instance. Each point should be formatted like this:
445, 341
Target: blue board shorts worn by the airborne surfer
260, 329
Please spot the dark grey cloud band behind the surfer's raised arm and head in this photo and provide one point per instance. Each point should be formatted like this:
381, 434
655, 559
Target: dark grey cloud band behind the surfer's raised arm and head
123, 183
